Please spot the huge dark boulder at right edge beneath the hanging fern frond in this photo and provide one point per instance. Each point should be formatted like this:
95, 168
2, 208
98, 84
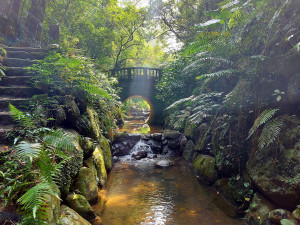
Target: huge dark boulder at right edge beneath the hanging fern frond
275, 170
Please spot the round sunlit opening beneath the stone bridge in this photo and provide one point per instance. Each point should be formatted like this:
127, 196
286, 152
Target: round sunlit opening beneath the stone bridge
137, 107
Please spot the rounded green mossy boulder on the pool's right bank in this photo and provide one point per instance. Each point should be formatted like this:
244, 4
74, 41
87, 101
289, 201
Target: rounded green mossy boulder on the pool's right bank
205, 168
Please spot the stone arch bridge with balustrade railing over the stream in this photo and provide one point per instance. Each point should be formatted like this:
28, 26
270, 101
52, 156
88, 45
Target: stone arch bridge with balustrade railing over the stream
141, 81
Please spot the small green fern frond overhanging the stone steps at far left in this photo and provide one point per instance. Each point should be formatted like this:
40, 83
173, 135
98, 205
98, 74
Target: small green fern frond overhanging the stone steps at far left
23, 120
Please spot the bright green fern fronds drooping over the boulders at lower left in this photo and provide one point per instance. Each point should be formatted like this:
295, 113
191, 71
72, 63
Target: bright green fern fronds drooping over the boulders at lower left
40, 158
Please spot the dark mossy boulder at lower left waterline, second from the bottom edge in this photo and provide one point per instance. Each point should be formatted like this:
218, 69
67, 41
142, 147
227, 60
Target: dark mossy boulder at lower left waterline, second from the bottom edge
81, 205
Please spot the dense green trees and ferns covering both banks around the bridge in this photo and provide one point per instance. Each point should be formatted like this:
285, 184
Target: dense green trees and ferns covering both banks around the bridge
232, 88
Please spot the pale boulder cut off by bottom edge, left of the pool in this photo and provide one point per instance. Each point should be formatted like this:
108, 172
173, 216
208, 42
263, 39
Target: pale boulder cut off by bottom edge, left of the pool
68, 216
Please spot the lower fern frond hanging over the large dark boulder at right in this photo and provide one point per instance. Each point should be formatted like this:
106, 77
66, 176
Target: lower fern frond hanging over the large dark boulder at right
270, 132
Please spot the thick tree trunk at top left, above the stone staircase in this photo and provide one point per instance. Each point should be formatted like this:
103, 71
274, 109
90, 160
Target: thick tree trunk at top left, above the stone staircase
35, 19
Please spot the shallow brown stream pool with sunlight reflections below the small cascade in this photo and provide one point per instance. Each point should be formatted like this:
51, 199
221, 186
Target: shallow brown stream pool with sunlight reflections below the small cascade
139, 193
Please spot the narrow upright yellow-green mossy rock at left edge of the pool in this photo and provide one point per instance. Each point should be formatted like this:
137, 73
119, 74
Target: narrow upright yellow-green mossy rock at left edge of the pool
100, 165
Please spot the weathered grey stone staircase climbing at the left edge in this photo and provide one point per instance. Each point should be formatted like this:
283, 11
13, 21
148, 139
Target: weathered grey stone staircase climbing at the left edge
15, 87
